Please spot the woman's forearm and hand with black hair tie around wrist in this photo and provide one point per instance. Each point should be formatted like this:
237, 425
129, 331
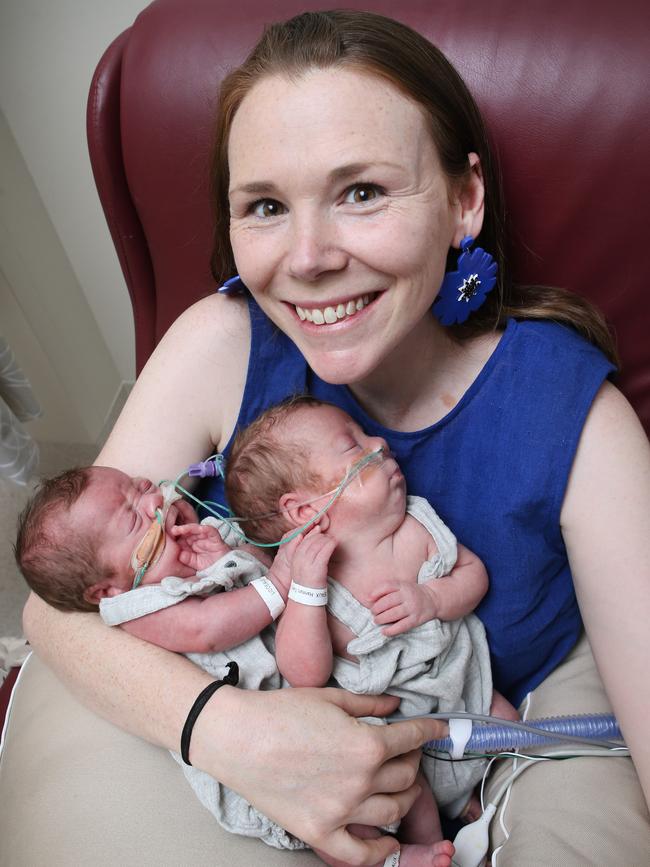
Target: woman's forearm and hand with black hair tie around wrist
285, 751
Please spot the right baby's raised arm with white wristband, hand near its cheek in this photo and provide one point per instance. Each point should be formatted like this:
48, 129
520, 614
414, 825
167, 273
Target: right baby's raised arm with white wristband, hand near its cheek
303, 644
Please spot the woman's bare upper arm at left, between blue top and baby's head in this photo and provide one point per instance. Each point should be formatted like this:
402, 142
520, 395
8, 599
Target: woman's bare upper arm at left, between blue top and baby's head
186, 400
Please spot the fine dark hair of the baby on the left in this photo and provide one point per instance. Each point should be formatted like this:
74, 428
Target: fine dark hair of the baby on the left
57, 560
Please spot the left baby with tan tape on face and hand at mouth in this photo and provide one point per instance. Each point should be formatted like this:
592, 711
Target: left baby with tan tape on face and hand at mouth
78, 542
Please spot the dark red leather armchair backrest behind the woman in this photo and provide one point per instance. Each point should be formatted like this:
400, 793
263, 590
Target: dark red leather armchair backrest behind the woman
563, 87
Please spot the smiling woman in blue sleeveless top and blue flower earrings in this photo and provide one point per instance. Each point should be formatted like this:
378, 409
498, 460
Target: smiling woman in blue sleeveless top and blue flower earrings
353, 161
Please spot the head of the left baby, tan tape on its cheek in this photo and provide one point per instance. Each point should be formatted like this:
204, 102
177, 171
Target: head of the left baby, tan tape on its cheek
77, 536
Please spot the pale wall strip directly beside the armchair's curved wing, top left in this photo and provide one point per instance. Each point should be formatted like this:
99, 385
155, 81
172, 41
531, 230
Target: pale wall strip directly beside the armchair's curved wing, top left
48, 52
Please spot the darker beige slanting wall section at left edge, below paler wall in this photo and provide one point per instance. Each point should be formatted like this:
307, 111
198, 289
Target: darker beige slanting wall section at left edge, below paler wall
45, 316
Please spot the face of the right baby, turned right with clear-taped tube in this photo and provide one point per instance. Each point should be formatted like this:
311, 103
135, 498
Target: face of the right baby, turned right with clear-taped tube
335, 443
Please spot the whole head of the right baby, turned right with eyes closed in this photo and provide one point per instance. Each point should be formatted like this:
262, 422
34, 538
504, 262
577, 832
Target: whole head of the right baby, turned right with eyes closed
297, 451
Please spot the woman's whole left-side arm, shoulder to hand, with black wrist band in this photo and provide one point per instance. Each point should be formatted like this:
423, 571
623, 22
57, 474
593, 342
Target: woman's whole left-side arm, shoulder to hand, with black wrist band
186, 399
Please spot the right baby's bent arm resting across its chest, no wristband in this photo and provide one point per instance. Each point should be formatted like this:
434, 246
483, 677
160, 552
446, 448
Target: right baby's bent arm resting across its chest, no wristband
404, 605
